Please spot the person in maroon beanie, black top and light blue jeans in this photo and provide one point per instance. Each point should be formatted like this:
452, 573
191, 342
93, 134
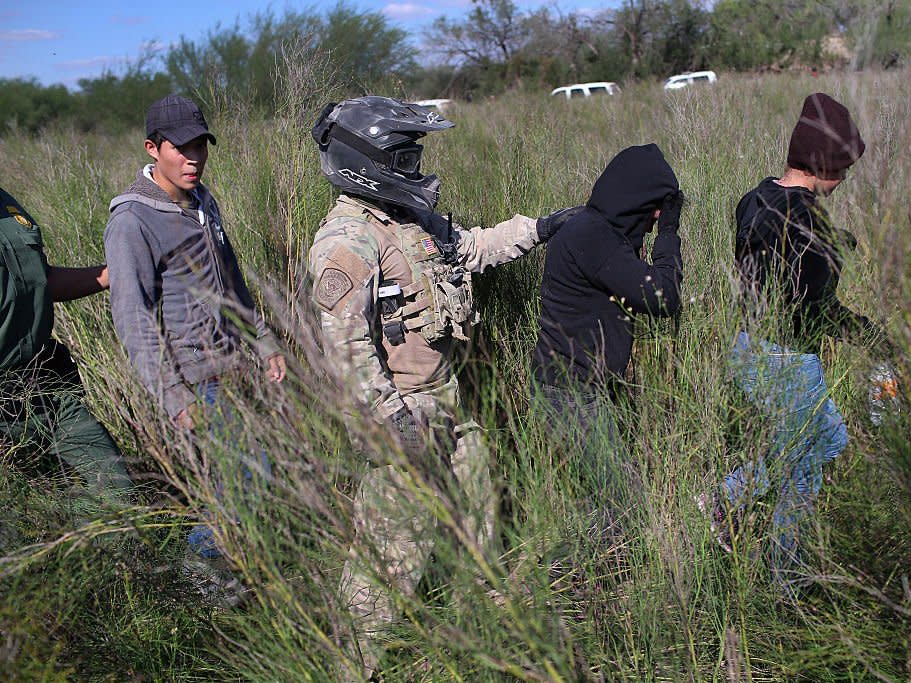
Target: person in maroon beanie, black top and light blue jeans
789, 257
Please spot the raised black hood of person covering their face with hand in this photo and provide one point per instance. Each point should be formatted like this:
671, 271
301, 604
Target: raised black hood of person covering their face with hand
631, 188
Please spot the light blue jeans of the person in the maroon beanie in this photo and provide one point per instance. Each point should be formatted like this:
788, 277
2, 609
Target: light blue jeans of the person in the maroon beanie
807, 431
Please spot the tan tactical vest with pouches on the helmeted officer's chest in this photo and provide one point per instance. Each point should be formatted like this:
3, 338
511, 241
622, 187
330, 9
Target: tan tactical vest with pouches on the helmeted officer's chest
439, 302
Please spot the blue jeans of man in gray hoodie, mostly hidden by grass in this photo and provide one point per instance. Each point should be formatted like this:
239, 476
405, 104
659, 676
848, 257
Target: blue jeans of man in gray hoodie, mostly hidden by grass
225, 428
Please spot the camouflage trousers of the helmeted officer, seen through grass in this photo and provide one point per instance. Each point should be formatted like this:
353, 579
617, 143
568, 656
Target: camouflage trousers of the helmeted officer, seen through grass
396, 525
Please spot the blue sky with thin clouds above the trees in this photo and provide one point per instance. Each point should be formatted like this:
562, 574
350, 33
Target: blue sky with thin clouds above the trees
61, 41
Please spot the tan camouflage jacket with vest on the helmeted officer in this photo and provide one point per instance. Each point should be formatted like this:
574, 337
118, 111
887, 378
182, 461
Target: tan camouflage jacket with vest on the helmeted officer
373, 274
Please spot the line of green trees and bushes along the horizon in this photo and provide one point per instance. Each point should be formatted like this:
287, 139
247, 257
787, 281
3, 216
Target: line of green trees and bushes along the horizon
496, 46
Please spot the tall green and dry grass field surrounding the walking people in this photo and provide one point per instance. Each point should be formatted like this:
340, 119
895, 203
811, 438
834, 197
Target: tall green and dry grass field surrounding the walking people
92, 595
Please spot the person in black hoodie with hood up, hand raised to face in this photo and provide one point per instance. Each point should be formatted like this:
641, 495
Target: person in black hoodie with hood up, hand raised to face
595, 281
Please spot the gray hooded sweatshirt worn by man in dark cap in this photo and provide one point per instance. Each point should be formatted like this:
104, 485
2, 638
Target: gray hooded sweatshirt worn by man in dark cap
179, 301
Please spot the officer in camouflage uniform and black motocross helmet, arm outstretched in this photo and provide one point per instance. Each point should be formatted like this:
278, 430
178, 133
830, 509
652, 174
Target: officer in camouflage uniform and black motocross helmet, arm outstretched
392, 280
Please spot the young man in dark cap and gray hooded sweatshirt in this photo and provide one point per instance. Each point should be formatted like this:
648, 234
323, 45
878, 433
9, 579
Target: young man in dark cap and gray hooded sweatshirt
178, 299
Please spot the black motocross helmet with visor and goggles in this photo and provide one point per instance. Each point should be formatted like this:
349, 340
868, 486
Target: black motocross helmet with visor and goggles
368, 147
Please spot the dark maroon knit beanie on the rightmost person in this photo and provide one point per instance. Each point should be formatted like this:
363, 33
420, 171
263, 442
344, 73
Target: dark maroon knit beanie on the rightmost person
825, 140
